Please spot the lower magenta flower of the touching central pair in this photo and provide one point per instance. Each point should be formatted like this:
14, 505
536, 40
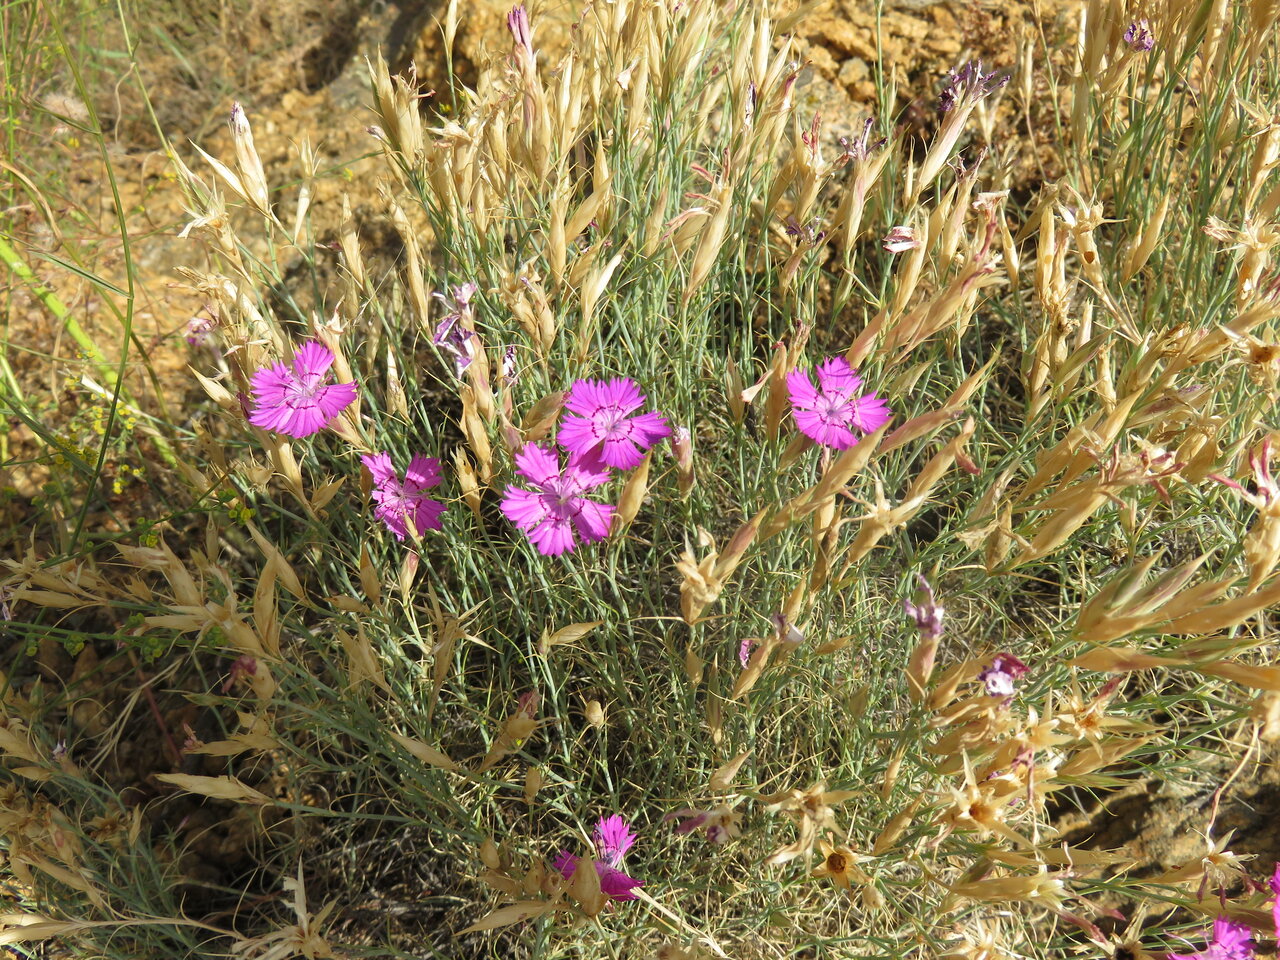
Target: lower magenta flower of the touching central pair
556, 510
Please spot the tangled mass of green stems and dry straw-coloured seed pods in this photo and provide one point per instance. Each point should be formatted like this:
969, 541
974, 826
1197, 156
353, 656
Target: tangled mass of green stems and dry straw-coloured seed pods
1073, 497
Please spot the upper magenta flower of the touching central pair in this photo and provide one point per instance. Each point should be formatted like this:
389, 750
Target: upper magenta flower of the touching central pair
606, 427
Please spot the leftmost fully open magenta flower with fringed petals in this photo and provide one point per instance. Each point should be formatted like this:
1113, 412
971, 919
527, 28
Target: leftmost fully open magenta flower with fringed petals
300, 403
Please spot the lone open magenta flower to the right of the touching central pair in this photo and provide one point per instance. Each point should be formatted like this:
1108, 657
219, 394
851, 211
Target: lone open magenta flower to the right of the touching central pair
838, 412
